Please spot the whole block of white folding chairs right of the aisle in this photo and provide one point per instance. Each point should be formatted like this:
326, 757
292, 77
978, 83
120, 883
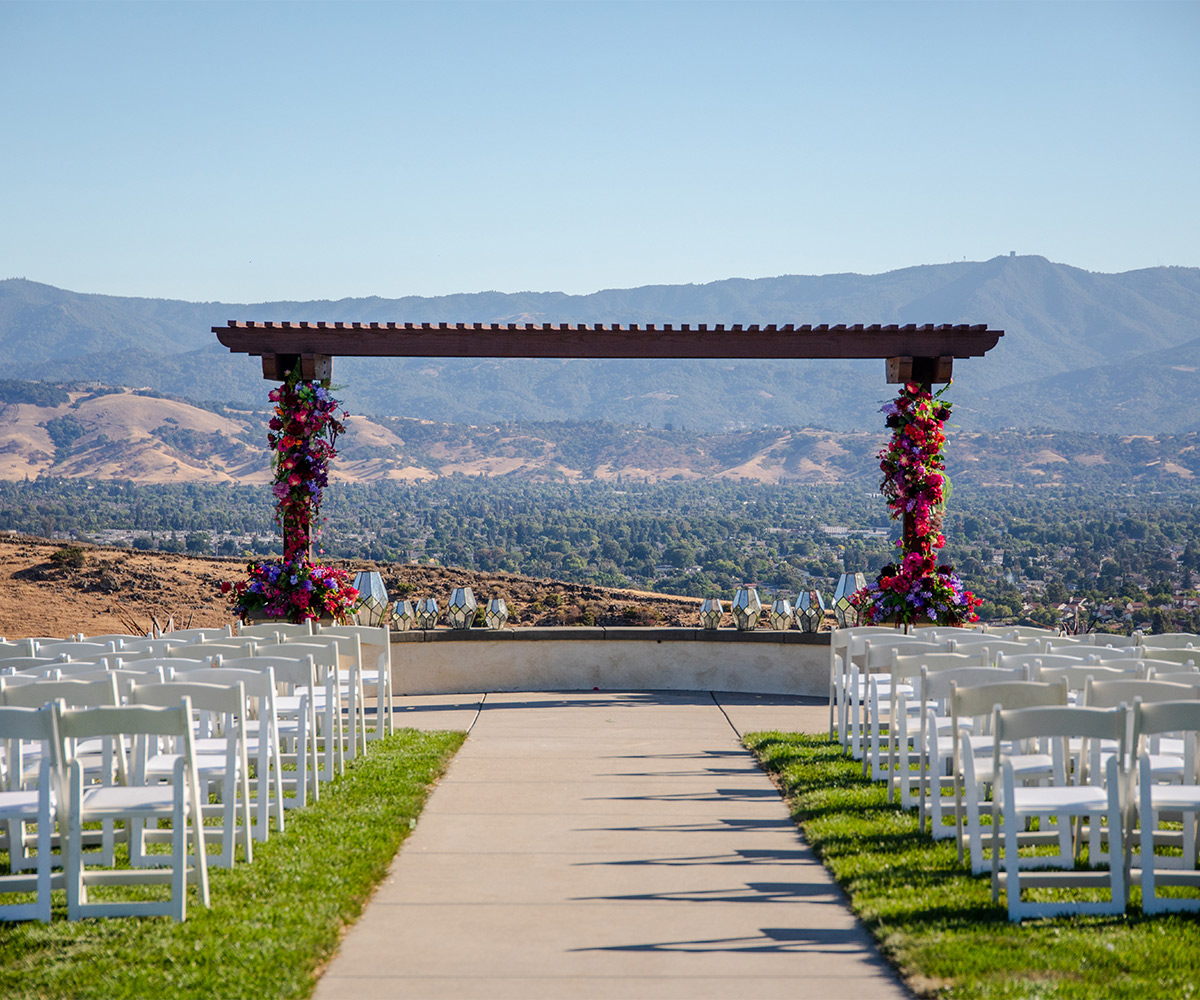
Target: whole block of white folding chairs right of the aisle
926, 723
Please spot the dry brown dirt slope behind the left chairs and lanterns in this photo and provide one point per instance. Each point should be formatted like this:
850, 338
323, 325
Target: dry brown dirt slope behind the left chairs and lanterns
124, 590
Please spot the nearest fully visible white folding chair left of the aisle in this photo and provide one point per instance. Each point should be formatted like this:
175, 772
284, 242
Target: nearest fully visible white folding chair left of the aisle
178, 803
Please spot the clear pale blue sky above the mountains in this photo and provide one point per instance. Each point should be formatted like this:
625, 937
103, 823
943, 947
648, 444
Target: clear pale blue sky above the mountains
253, 152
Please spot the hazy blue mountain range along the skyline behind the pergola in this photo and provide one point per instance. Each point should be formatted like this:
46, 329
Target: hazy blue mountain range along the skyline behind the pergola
1070, 334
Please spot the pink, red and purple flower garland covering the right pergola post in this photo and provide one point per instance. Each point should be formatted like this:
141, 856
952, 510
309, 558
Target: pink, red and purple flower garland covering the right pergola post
916, 487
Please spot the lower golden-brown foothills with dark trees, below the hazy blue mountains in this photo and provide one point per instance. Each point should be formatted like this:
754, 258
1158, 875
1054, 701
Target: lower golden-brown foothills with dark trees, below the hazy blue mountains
143, 438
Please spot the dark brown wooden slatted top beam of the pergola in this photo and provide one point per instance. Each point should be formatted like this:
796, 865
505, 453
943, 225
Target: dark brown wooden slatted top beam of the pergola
914, 354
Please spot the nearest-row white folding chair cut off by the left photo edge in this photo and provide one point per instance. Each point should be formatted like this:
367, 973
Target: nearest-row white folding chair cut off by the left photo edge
22, 806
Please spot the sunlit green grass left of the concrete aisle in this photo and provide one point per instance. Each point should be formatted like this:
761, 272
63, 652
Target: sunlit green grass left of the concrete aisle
273, 924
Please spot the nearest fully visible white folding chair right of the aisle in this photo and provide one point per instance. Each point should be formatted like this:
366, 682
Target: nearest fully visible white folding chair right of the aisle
1071, 795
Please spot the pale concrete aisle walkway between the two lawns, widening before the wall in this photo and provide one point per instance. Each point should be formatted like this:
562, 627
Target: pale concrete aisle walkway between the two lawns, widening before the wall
608, 846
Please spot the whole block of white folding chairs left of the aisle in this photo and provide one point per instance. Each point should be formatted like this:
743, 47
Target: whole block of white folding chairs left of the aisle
290, 700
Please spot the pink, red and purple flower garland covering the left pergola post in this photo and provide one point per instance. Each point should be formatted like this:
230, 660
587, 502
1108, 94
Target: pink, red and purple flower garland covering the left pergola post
303, 436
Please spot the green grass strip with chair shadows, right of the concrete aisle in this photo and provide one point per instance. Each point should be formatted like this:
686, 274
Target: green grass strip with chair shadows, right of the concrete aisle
938, 924
